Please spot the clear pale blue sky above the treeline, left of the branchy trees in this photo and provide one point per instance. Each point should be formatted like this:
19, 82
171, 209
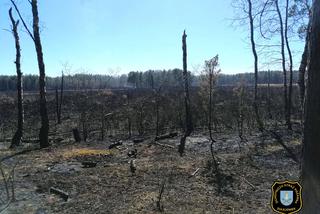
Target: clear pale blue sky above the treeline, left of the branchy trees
118, 36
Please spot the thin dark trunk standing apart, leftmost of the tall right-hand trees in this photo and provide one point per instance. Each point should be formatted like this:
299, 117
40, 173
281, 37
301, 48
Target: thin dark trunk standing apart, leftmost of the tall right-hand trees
255, 55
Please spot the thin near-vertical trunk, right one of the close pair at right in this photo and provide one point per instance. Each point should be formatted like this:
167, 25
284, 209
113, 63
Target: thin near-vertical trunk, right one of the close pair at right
290, 67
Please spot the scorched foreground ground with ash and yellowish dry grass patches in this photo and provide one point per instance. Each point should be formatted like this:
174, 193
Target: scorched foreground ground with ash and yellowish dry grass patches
247, 171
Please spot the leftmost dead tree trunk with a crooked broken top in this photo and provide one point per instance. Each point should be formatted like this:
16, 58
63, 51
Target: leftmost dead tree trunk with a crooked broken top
16, 140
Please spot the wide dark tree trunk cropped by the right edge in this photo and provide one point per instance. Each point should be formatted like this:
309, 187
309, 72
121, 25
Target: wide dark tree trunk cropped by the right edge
311, 146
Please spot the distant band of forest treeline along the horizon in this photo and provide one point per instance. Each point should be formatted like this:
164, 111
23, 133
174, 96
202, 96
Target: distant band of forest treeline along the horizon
148, 79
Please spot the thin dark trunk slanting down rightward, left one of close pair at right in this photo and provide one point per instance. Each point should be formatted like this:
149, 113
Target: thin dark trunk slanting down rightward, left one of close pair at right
285, 86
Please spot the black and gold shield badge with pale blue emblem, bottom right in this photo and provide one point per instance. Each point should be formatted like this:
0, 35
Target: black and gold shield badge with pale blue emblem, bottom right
286, 197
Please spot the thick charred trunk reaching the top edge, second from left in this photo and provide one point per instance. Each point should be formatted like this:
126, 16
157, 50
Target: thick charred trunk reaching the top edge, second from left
44, 130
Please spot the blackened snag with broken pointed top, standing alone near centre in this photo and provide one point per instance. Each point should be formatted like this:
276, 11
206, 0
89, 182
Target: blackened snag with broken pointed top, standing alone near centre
188, 117
